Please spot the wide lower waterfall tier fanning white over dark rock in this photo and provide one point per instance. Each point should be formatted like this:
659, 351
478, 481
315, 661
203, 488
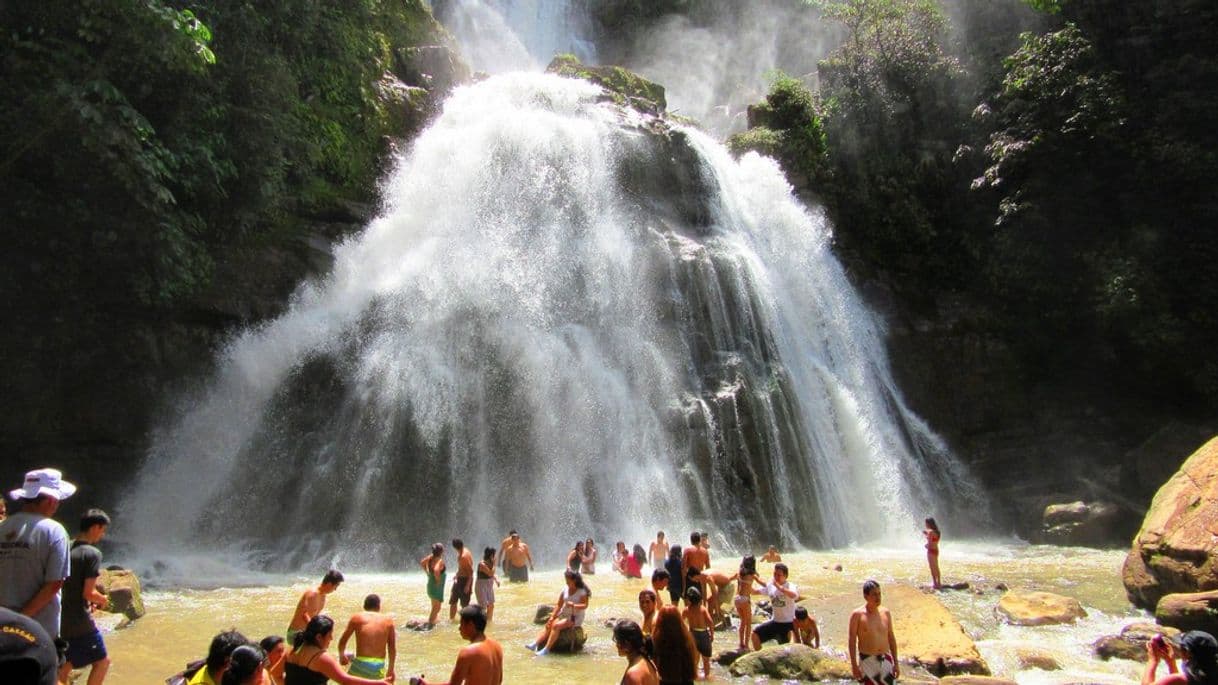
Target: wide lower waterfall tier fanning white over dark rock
569, 320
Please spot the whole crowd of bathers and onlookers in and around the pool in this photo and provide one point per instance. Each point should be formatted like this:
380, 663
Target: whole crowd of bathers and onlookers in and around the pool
49, 589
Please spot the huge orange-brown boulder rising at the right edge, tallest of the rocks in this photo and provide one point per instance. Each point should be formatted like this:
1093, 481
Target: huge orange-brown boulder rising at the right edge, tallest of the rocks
1175, 550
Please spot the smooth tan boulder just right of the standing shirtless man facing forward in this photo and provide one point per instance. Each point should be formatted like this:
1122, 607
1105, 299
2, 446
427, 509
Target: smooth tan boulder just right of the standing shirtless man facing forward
929, 636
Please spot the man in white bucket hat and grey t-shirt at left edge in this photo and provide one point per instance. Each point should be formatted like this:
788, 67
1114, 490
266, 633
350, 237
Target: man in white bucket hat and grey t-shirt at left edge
35, 550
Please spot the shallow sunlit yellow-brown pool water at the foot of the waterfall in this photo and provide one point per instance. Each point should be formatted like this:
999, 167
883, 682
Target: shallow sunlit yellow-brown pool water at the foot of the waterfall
181, 622
